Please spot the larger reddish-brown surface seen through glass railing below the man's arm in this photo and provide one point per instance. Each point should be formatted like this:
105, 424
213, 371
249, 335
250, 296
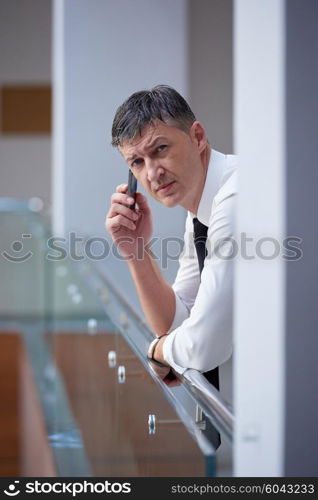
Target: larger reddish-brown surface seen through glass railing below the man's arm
113, 418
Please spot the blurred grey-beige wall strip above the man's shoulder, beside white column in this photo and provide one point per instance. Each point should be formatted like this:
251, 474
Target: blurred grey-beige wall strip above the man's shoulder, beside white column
210, 68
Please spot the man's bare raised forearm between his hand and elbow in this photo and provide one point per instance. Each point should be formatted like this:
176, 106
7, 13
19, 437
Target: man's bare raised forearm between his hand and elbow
156, 296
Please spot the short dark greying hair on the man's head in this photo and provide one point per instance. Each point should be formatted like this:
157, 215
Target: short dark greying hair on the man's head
145, 107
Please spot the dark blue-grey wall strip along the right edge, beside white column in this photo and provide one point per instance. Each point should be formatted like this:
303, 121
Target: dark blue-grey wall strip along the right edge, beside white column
301, 421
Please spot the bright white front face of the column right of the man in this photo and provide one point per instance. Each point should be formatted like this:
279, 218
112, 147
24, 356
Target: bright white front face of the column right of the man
260, 284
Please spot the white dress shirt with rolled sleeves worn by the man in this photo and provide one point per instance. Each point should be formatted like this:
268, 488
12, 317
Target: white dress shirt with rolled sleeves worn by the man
200, 336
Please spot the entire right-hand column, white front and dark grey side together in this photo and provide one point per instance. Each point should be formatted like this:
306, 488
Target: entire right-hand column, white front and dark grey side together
276, 341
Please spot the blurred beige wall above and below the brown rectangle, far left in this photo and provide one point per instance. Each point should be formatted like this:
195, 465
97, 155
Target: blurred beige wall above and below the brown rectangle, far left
25, 60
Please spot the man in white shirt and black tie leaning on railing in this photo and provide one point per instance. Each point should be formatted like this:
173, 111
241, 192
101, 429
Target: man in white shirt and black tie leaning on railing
168, 152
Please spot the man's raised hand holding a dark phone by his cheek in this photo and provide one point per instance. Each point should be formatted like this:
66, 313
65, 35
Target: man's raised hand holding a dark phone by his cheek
130, 228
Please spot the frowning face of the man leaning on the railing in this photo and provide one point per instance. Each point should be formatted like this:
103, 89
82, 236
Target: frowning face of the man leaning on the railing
165, 160
